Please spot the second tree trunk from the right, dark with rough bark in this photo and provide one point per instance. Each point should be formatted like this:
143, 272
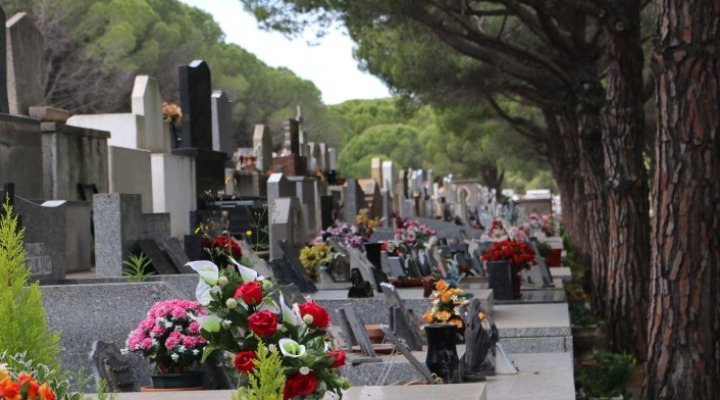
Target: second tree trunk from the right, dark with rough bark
627, 201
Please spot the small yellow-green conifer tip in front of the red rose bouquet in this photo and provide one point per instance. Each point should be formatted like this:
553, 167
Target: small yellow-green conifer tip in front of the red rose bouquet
267, 380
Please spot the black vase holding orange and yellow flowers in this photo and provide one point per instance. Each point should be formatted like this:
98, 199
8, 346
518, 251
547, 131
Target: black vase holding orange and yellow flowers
442, 358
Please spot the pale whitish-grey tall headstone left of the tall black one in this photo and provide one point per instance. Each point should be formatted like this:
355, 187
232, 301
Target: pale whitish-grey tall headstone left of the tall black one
147, 101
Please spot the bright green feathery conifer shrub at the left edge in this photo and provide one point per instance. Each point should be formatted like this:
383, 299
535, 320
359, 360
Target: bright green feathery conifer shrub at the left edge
24, 328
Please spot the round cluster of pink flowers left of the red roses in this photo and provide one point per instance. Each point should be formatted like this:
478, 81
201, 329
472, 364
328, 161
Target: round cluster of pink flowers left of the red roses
170, 336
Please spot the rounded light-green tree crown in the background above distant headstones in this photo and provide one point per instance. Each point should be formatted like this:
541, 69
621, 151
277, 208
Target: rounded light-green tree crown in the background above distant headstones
399, 143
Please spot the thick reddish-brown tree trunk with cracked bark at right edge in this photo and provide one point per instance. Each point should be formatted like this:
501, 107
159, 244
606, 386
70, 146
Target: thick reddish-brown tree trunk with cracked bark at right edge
684, 344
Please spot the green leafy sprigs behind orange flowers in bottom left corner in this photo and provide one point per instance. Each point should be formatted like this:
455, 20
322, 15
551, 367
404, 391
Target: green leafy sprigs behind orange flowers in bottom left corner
21, 363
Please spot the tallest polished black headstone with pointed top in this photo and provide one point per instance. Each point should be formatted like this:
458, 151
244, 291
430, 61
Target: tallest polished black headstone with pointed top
195, 92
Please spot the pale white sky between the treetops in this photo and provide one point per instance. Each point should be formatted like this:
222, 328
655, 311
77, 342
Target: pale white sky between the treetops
329, 64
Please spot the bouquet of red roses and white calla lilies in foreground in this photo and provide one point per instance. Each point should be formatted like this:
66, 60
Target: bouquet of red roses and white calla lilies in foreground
244, 309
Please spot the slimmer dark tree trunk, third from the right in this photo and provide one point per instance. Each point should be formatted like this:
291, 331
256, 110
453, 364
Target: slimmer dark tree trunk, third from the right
592, 174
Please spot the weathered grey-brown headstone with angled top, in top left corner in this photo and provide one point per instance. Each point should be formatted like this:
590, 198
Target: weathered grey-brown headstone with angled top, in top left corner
25, 64
